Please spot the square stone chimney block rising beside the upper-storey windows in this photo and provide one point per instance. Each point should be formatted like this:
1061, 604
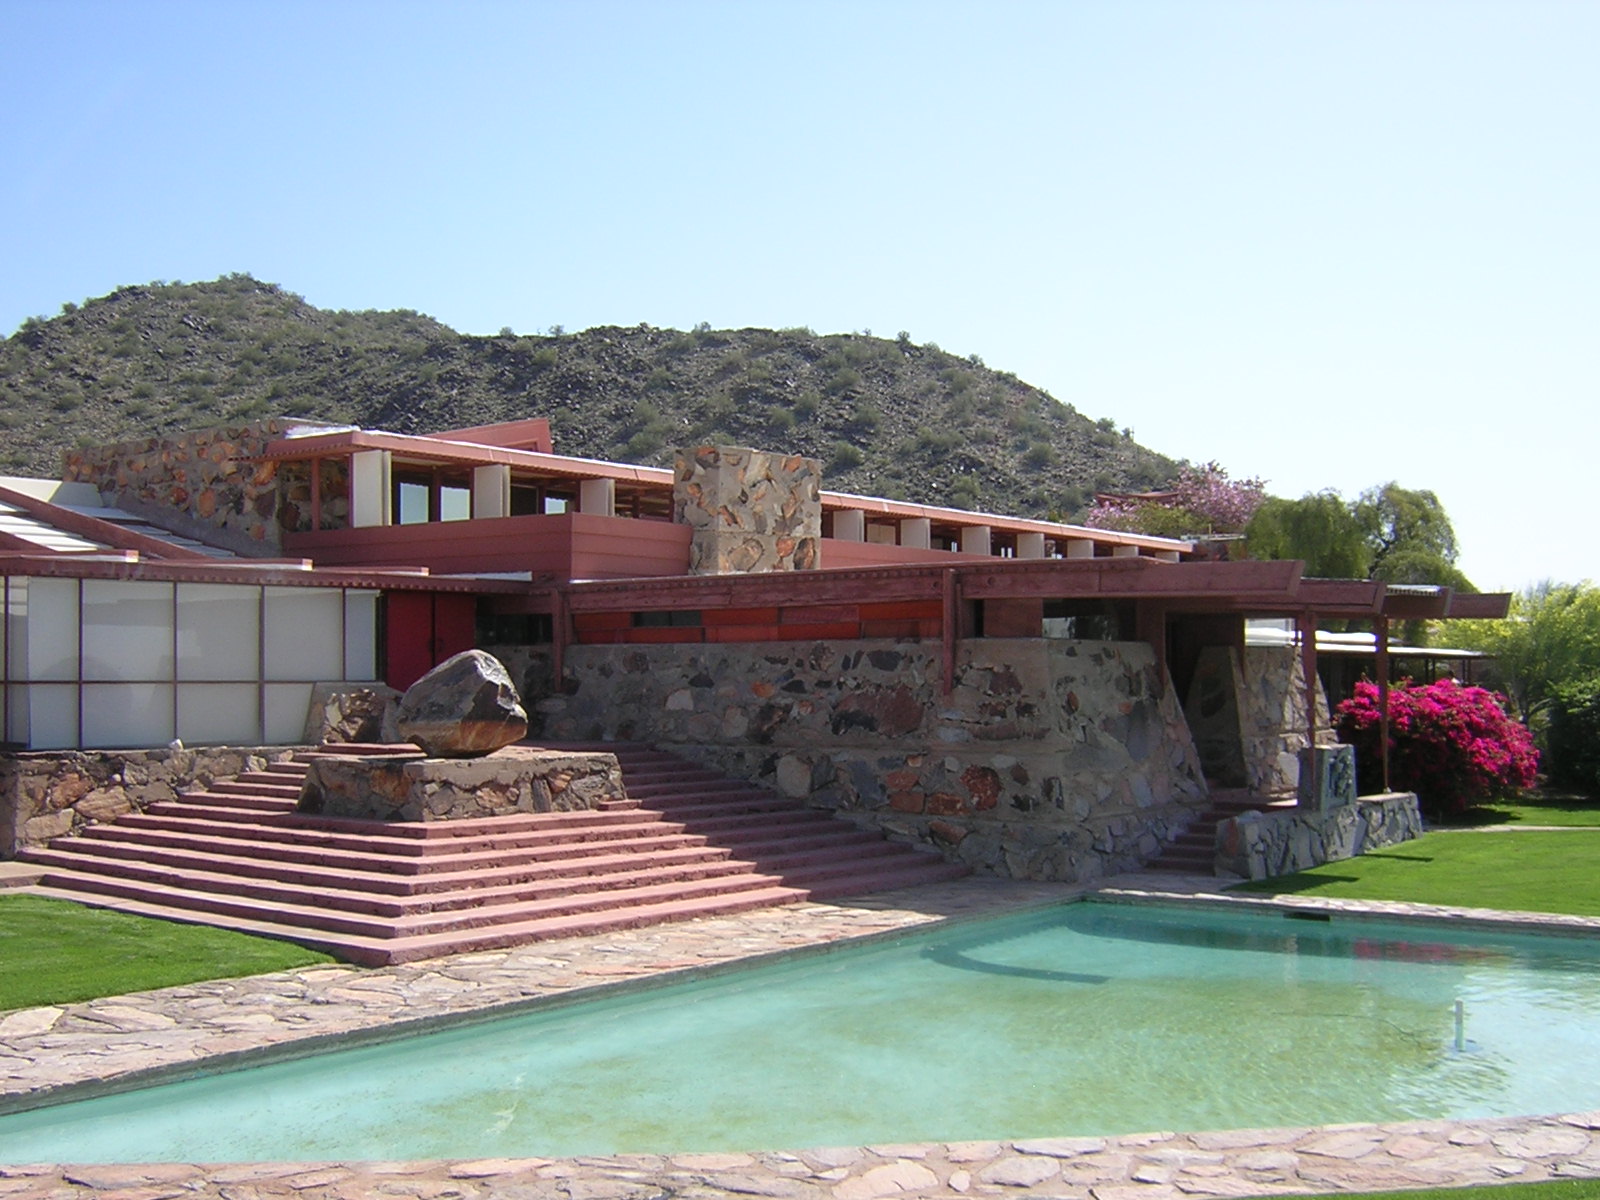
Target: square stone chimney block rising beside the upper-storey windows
750, 511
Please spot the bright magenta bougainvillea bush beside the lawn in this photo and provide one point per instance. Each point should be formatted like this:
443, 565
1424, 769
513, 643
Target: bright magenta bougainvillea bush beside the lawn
1450, 745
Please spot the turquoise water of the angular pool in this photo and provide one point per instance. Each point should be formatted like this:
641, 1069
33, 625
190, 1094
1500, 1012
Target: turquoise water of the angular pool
1082, 1020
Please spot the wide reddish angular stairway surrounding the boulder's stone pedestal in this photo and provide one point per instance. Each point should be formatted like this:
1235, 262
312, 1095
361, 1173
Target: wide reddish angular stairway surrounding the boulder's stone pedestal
687, 844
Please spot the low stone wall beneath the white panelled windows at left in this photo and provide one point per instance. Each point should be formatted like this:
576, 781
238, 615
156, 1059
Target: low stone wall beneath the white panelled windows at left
47, 794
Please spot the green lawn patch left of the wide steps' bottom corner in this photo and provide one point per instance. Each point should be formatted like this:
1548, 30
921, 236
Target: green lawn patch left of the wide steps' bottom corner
58, 953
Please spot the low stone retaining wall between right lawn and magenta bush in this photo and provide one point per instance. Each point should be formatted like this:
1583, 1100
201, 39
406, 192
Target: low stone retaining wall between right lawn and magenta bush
1265, 846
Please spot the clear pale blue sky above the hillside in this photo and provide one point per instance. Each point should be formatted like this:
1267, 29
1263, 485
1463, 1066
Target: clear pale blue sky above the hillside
1326, 244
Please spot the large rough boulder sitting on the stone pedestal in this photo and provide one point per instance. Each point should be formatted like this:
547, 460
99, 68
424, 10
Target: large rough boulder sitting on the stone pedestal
465, 708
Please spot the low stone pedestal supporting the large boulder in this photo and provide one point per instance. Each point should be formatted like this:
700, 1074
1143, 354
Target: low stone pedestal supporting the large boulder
513, 780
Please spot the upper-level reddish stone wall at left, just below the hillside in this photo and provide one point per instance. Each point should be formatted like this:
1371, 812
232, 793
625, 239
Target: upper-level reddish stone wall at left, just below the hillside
199, 484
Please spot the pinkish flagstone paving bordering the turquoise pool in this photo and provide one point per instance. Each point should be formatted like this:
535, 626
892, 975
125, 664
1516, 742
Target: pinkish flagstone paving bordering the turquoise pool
162, 1034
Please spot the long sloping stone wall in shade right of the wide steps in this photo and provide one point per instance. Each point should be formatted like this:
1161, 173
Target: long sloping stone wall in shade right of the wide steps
1050, 761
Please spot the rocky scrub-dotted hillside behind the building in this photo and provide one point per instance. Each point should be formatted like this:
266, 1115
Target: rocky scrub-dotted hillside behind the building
887, 417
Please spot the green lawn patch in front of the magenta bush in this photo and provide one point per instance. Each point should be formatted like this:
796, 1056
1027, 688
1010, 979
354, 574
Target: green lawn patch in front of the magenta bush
1524, 873
